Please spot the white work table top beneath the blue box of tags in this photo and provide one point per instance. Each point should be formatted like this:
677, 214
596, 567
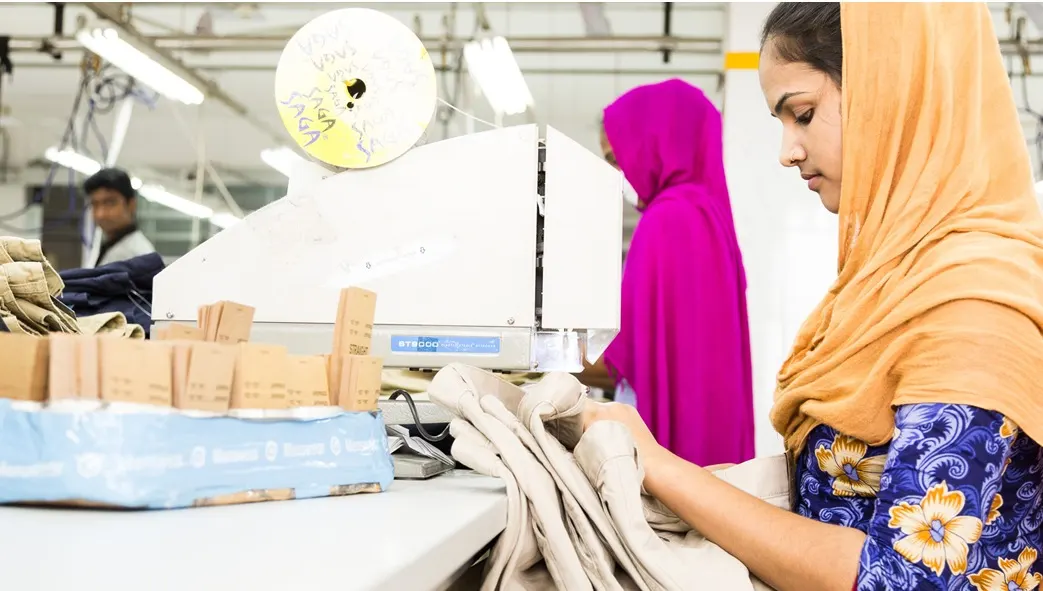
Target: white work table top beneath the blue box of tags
415, 537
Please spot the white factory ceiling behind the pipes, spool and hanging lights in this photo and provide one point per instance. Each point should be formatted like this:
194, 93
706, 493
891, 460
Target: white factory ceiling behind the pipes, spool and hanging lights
570, 89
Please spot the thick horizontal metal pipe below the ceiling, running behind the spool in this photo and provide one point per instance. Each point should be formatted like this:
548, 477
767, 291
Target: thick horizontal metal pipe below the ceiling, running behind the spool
519, 44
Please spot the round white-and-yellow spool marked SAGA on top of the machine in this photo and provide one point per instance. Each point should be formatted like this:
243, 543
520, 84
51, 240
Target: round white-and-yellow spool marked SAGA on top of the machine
355, 88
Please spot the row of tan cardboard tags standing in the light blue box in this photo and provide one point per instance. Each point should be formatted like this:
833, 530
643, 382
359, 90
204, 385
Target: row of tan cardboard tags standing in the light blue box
210, 368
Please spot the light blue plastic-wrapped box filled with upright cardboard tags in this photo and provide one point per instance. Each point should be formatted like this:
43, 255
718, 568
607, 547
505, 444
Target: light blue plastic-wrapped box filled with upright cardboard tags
208, 372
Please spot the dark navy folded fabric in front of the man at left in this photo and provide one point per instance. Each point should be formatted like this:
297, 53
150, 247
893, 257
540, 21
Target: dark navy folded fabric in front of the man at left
125, 286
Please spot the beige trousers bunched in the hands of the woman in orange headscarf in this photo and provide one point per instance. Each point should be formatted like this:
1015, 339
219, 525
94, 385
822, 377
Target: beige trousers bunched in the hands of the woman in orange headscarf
578, 516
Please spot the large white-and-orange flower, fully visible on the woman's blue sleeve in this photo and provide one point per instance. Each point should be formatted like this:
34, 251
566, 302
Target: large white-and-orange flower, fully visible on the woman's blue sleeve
936, 534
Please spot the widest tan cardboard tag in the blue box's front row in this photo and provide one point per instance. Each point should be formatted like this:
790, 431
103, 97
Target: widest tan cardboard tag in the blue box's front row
136, 372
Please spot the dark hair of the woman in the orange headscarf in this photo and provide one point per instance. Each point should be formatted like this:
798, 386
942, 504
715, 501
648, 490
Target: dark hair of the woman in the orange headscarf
808, 33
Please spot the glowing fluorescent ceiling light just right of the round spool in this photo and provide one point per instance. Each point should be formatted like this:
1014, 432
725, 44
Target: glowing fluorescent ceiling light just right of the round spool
495, 70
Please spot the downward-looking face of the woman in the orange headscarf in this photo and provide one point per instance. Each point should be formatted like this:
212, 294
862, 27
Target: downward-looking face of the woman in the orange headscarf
809, 105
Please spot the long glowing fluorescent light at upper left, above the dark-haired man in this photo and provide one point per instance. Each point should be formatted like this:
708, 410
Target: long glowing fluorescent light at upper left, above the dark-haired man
108, 45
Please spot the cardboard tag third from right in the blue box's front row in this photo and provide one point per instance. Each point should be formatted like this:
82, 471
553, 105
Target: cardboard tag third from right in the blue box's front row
260, 378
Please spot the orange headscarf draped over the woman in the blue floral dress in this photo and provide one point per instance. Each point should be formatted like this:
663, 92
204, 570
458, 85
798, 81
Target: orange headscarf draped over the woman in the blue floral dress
940, 290
